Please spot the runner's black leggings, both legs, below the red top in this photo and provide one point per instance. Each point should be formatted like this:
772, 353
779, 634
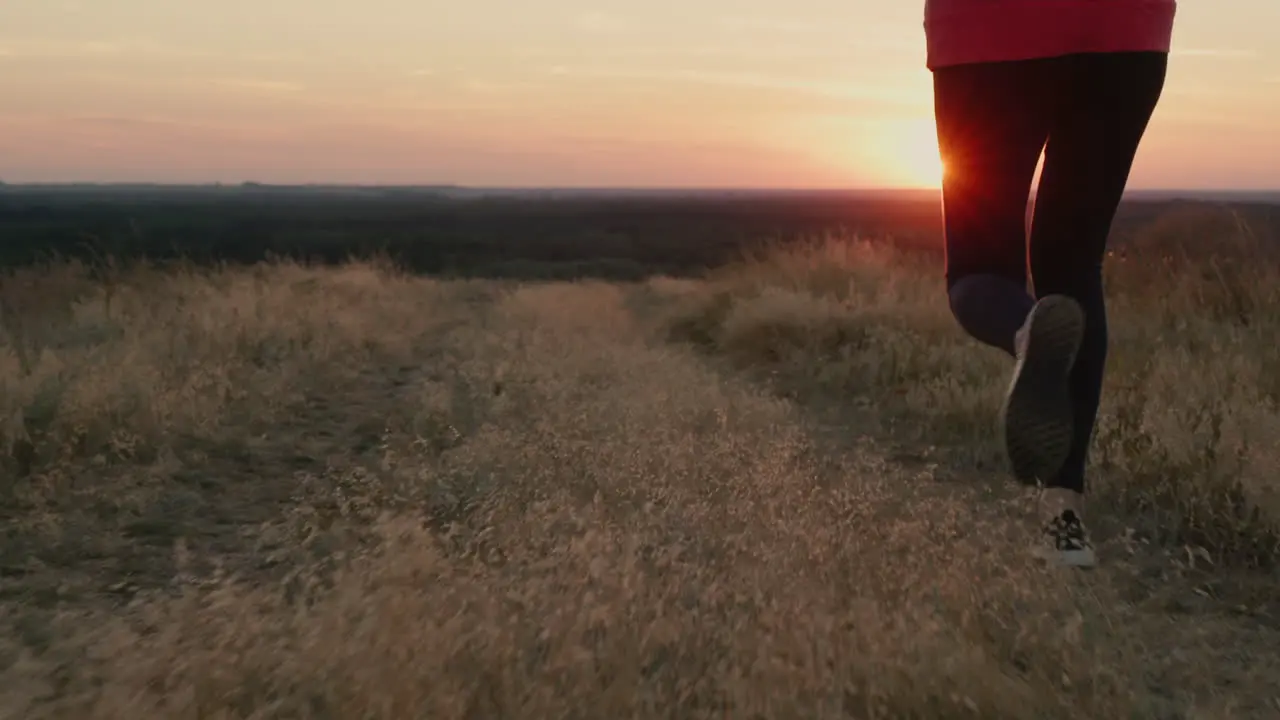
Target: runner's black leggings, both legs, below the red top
1089, 115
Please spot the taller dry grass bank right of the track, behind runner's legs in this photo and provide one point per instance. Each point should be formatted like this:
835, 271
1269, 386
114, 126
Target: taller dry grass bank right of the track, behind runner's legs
1190, 435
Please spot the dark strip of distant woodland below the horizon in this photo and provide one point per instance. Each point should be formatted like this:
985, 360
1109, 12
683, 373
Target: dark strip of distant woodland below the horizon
616, 238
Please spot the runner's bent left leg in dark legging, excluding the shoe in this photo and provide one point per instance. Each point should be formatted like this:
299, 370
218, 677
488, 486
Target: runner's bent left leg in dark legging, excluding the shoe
993, 122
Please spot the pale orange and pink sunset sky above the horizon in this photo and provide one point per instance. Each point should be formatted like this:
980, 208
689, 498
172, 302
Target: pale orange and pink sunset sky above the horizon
556, 93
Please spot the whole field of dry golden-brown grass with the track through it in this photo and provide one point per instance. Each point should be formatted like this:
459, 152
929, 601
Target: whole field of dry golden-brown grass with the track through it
775, 494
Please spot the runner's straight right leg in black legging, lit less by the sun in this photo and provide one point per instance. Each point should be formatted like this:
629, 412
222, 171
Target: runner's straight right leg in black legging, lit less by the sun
1107, 104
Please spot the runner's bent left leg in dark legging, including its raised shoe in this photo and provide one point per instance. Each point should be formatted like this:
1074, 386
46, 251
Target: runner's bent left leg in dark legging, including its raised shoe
994, 121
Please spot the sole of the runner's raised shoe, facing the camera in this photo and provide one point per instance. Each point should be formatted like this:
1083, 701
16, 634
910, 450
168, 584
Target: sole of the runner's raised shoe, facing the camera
1037, 413
